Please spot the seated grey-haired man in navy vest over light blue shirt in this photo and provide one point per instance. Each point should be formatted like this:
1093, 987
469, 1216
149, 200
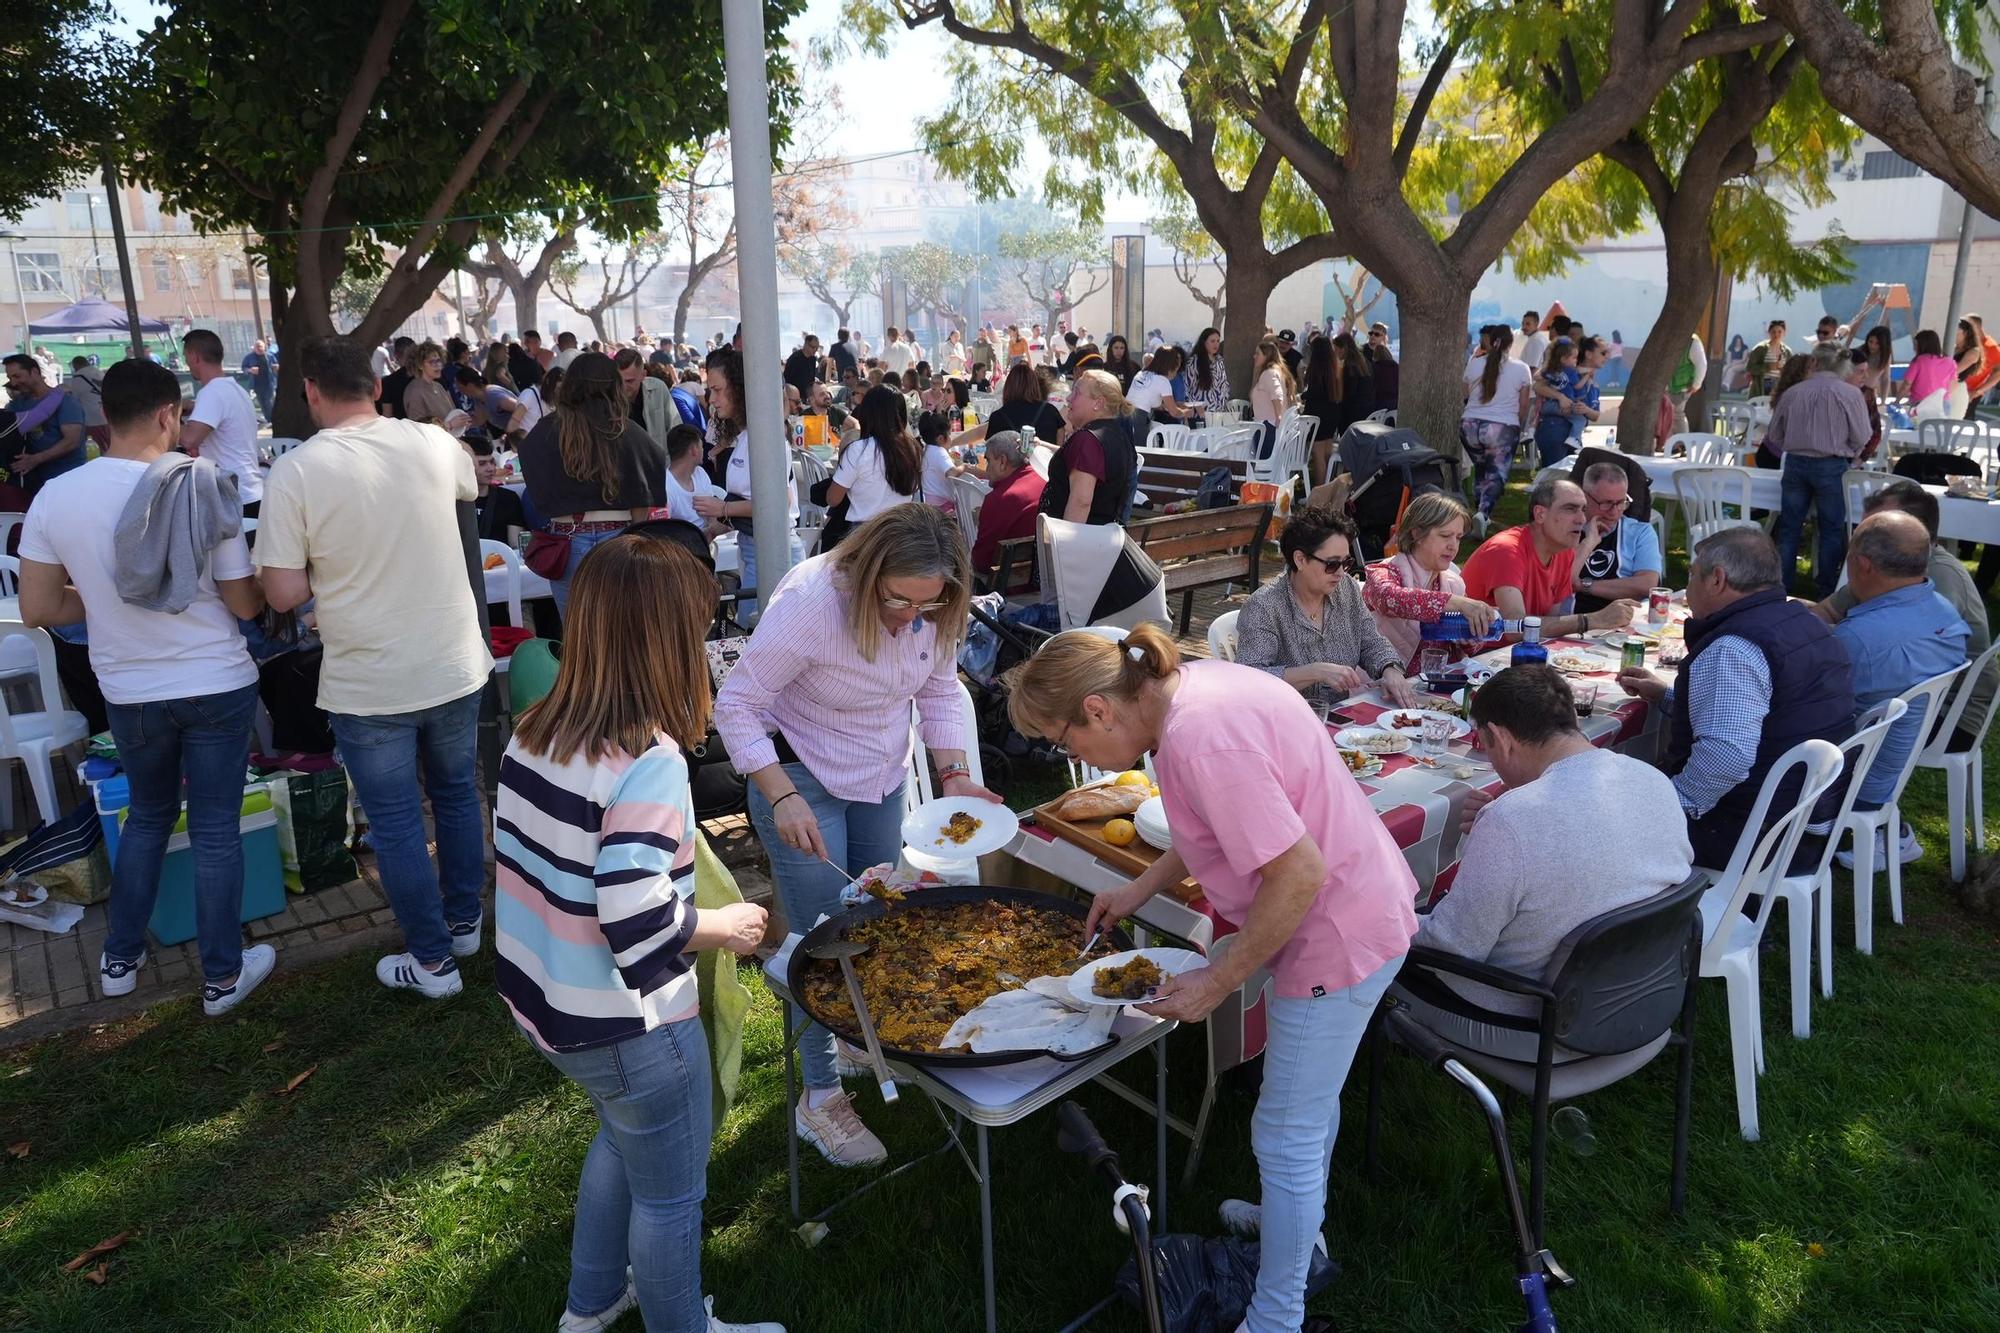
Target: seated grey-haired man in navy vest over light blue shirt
1763, 674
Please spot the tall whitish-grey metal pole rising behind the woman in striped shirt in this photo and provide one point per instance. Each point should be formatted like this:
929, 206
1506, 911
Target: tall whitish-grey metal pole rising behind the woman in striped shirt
757, 281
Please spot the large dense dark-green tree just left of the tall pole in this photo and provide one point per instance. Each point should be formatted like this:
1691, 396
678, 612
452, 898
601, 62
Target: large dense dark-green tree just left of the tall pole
413, 127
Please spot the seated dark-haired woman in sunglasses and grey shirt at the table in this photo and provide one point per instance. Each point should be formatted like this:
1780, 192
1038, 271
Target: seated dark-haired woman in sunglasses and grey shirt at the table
1311, 627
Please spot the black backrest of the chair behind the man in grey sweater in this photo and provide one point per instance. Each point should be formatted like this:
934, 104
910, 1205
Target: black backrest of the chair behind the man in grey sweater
1621, 978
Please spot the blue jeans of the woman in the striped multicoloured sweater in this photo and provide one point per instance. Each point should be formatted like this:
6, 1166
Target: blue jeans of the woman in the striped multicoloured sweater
645, 1178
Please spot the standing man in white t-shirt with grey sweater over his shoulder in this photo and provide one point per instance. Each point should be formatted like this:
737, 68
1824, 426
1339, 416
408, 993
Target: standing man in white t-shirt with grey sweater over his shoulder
179, 688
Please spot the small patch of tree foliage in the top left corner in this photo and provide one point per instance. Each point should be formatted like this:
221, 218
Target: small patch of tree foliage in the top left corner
61, 77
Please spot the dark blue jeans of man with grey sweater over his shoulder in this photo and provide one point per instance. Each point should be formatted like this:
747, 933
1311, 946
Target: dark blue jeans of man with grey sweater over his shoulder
205, 740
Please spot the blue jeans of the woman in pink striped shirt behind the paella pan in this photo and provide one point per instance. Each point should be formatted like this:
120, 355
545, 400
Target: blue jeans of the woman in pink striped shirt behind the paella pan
859, 836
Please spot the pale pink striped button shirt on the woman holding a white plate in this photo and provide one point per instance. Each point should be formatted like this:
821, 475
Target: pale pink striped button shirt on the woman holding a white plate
847, 720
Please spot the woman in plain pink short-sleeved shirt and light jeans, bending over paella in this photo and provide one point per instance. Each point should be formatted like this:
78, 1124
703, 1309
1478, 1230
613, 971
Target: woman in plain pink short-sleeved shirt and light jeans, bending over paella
1287, 848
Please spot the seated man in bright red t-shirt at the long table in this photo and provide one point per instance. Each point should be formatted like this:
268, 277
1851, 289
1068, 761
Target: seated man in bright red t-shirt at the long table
1529, 571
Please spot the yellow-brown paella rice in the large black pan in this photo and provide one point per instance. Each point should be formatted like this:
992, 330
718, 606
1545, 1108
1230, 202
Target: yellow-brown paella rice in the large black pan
927, 968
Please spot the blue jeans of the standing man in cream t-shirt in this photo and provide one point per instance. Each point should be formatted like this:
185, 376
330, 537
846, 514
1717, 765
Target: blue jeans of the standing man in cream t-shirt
395, 760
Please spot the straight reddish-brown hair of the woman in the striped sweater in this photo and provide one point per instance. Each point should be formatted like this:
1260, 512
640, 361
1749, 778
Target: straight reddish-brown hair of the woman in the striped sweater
633, 659
